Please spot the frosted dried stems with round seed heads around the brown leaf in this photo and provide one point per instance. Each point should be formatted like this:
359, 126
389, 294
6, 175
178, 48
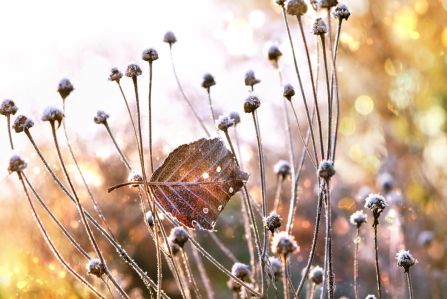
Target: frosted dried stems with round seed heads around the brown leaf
265, 274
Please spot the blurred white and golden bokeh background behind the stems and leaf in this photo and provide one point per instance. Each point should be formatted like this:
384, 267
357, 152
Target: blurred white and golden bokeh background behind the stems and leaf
392, 69
